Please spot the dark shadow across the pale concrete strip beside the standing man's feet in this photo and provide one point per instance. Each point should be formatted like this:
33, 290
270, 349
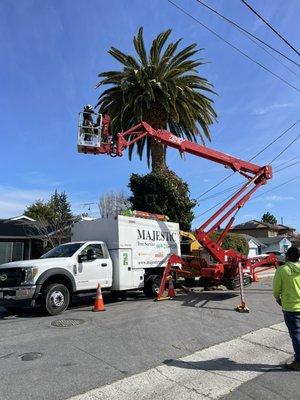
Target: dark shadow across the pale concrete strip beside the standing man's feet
224, 364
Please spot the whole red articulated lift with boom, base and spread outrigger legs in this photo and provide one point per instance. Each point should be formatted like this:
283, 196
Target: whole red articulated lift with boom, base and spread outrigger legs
229, 268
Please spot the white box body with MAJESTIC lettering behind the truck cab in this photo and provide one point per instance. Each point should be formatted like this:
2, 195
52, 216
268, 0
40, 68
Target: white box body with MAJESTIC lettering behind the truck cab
139, 248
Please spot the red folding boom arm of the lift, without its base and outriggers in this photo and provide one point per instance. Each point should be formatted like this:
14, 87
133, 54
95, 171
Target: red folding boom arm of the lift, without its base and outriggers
255, 175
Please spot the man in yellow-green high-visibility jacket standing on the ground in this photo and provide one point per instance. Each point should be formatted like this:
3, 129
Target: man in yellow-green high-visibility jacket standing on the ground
286, 290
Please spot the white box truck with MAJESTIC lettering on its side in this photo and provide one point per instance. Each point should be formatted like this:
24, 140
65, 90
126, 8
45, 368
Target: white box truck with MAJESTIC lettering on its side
121, 254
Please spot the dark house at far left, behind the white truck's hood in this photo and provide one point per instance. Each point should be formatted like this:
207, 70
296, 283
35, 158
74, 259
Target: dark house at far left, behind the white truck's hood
19, 239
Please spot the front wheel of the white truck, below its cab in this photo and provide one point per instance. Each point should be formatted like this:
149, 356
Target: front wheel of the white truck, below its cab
56, 299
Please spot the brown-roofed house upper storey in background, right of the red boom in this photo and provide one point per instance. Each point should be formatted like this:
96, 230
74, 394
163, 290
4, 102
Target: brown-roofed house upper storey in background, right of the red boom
259, 229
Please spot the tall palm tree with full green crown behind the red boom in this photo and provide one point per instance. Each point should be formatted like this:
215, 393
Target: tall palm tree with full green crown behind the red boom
162, 88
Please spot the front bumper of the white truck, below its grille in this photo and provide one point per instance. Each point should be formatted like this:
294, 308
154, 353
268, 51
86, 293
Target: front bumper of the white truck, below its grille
18, 296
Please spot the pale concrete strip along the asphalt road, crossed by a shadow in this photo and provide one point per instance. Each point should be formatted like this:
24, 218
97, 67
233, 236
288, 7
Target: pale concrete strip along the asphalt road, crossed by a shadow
207, 374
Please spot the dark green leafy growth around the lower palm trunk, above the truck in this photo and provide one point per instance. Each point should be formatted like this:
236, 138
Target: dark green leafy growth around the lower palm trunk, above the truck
163, 192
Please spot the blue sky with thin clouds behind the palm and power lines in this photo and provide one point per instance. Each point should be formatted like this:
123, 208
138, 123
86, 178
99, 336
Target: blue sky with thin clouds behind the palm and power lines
51, 52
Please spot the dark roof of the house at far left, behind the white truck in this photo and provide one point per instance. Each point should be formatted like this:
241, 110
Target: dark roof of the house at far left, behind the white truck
18, 228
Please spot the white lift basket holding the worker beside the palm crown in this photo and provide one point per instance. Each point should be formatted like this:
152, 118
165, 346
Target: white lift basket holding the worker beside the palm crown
89, 135
